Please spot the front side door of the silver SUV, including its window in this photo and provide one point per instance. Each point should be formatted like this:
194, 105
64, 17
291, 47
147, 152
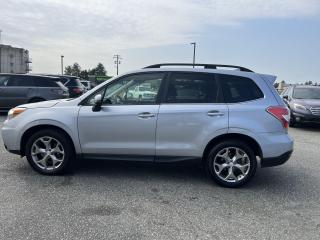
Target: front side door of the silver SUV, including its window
126, 125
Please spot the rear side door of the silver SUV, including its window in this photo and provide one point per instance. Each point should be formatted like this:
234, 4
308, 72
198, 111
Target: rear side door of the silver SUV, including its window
191, 114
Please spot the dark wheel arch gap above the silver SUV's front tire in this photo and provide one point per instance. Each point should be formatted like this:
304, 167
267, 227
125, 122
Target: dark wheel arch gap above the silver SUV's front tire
30, 131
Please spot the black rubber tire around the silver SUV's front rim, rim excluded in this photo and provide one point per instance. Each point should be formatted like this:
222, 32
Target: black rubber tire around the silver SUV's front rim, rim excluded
67, 146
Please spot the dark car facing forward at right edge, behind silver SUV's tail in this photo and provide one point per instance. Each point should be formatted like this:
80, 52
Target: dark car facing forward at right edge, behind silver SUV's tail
303, 102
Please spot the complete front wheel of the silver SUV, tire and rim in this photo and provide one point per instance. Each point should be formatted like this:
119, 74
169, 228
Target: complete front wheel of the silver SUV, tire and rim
50, 152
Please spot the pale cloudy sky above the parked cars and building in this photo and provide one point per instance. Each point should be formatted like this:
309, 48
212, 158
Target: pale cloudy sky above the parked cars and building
280, 37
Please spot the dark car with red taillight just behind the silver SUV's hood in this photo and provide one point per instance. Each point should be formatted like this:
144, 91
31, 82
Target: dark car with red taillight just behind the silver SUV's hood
73, 83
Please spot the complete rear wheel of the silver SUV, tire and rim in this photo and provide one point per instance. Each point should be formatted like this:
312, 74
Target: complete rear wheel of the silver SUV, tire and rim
243, 168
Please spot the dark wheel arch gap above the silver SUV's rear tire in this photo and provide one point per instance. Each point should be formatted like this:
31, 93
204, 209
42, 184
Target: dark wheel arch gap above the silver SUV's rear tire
233, 136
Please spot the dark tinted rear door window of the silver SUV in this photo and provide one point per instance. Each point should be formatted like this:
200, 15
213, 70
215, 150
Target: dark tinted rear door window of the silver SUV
192, 88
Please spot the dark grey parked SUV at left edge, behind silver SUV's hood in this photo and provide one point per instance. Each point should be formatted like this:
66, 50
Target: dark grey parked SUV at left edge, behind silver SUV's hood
17, 89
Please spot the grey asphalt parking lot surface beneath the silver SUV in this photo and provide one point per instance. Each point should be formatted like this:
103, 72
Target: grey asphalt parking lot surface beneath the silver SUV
104, 200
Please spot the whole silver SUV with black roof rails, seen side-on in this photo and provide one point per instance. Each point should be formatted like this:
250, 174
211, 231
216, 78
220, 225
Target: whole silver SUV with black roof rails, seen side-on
228, 119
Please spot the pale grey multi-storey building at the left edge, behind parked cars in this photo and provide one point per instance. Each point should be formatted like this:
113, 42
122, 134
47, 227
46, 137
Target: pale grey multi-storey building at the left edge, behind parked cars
14, 60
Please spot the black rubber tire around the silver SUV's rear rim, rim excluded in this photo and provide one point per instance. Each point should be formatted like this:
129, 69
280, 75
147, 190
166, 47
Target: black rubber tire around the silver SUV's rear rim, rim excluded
231, 143
